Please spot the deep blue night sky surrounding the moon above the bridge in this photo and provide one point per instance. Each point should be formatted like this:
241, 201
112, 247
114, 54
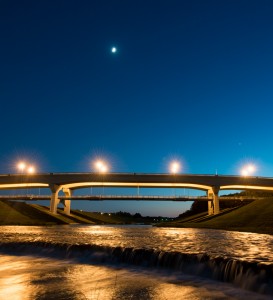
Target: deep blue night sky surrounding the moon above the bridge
190, 80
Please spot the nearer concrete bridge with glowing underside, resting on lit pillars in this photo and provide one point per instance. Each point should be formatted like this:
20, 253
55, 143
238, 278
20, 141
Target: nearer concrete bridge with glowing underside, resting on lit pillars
68, 182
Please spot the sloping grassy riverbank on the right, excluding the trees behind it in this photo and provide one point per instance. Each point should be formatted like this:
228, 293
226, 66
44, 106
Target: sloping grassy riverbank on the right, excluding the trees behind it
255, 217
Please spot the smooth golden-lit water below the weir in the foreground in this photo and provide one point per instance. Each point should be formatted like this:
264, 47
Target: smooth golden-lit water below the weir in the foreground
25, 278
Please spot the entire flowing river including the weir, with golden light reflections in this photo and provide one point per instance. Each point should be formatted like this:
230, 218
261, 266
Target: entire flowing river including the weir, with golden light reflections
133, 262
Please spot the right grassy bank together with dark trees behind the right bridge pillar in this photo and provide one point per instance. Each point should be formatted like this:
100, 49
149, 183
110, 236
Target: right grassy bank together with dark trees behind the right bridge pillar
246, 216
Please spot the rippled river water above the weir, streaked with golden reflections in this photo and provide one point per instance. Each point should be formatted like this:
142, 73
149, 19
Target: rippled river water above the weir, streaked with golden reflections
237, 245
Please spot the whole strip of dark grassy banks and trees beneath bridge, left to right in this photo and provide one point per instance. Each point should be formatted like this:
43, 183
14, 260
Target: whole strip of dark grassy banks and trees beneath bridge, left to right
252, 216
